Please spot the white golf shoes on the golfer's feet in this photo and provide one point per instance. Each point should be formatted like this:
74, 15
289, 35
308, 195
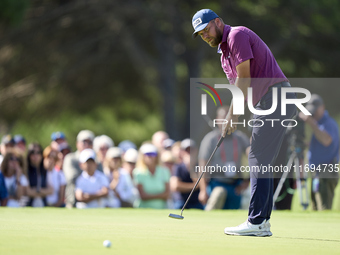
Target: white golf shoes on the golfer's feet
248, 229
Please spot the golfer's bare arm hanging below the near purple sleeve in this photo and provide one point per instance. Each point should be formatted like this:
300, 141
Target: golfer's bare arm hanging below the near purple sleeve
243, 83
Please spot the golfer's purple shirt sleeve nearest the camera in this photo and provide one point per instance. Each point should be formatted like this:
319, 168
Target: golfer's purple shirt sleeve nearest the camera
240, 48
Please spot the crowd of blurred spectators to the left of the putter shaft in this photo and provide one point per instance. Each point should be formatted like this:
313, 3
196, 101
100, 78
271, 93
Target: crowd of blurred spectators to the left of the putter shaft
98, 173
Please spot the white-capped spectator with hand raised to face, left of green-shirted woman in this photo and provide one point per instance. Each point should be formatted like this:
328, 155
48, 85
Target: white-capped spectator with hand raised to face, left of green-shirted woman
121, 187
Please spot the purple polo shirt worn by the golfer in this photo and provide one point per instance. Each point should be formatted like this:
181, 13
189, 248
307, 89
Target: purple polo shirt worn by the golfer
240, 44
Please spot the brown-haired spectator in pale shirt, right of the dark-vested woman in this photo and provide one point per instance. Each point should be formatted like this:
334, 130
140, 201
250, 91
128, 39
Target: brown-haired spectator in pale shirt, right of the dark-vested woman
55, 178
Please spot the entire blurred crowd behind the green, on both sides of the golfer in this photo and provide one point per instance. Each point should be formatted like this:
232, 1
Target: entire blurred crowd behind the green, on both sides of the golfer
159, 174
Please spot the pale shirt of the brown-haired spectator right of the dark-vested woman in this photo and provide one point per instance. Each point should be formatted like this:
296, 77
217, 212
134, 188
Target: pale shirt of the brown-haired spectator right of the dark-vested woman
56, 180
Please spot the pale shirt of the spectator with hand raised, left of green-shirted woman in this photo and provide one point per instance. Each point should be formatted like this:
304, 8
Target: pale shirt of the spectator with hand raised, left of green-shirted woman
124, 189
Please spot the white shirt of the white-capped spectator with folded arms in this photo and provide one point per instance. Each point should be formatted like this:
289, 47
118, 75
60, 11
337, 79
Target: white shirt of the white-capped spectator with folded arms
91, 185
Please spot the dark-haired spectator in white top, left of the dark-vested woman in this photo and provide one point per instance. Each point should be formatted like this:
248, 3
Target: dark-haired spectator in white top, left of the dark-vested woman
16, 182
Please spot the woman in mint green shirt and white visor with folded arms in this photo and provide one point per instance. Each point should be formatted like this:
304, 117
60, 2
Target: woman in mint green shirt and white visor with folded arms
152, 180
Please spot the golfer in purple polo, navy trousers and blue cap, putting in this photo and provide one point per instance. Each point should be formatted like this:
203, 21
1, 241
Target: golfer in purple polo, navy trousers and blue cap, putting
248, 62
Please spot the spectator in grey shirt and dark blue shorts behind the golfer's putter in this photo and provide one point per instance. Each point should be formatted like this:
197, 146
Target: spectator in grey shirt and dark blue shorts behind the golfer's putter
226, 186
